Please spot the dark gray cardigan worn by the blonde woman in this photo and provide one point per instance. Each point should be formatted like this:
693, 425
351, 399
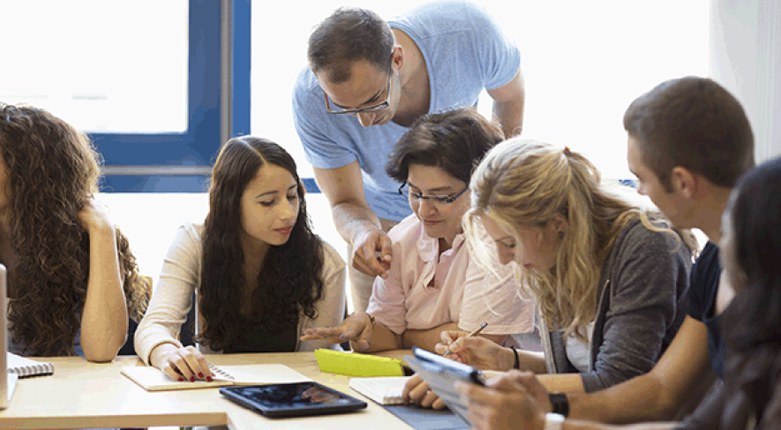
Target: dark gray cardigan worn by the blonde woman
640, 308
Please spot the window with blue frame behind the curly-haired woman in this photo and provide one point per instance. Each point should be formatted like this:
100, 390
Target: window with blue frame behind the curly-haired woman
141, 77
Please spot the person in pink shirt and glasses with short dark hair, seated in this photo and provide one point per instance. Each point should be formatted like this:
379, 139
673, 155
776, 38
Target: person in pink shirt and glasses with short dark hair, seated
433, 283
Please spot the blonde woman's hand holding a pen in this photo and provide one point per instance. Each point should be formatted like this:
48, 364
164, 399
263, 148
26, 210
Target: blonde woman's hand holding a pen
475, 351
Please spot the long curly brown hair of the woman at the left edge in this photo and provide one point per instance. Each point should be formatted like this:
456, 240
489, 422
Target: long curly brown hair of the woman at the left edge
52, 171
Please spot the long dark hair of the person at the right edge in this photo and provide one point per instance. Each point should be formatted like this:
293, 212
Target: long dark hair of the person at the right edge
750, 324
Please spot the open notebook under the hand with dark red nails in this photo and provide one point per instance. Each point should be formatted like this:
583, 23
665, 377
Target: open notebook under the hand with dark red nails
152, 379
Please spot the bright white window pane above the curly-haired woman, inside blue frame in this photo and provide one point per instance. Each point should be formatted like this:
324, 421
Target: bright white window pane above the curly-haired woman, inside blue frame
107, 66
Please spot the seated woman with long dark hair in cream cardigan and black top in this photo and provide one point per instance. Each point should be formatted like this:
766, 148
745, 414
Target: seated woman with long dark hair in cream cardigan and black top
254, 271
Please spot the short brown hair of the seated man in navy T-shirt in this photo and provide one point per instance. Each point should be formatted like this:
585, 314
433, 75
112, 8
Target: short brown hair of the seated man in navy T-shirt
695, 123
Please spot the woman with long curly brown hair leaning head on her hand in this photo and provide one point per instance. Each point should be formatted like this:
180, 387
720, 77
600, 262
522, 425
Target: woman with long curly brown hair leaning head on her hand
73, 281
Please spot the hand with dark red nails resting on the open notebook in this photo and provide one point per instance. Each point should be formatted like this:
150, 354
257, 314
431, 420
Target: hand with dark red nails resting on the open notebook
181, 364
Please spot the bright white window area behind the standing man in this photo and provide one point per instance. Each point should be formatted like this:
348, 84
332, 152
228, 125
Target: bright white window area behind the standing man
583, 62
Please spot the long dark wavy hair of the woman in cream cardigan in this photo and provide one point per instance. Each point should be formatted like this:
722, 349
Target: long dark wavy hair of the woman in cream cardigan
290, 279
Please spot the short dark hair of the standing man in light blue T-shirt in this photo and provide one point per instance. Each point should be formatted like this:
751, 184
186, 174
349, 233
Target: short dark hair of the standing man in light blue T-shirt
347, 35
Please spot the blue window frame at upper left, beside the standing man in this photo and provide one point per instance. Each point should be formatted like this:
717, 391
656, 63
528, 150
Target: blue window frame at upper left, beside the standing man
217, 109
